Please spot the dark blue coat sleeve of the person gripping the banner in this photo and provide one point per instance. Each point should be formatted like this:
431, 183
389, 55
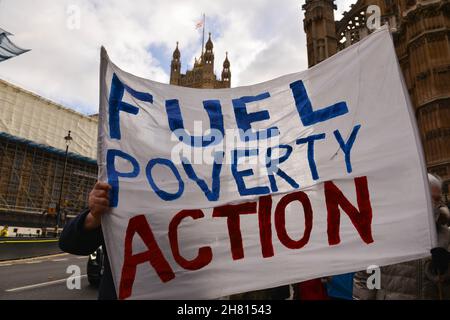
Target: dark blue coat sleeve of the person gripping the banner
75, 240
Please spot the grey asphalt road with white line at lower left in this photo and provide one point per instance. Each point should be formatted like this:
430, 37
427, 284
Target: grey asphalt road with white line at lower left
46, 278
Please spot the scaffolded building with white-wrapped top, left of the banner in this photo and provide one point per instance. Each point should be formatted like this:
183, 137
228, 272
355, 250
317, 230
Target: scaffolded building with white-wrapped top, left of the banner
33, 157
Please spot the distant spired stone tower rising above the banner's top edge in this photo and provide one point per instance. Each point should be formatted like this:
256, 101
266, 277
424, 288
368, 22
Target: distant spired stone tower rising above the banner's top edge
202, 75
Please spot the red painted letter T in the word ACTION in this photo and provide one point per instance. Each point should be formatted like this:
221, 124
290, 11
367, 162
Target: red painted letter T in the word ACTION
232, 213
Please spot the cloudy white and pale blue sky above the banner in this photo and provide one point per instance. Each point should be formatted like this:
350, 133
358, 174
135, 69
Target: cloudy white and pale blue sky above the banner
264, 40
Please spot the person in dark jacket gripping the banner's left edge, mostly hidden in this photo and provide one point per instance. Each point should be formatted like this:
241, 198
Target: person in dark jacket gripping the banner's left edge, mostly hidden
83, 235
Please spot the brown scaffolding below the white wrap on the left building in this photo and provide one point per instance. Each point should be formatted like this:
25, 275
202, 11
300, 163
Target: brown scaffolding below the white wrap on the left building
31, 173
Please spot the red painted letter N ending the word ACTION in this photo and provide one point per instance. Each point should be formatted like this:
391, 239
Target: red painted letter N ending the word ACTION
362, 219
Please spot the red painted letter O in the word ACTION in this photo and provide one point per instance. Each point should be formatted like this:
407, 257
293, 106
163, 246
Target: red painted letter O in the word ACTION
280, 220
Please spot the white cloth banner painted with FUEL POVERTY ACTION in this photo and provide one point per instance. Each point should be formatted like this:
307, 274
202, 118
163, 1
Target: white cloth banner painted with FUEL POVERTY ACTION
217, 192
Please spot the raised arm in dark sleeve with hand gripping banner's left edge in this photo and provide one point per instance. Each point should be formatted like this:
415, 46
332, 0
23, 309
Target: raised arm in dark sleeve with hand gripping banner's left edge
83, 235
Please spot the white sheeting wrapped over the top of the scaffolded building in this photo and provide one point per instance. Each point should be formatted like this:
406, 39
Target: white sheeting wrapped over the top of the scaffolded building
27, 115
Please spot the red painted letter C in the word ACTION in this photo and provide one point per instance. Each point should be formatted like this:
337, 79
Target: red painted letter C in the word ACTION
204, 256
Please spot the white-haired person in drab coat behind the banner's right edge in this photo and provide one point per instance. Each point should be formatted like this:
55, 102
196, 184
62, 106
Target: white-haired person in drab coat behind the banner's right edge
427, 278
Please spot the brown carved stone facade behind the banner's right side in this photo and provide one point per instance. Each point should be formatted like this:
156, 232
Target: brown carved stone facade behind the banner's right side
421, 33
